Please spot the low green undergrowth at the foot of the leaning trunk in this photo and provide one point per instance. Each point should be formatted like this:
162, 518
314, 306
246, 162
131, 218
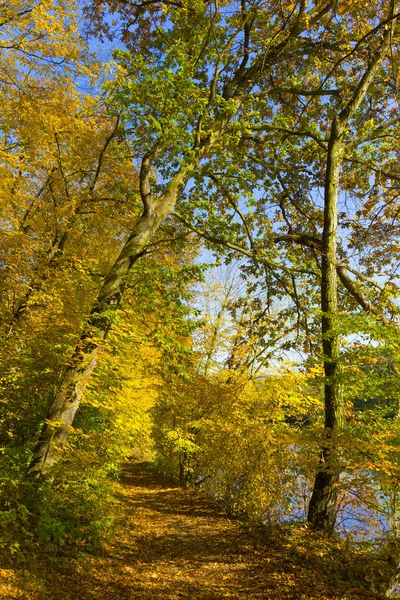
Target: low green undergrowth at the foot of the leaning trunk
58, 516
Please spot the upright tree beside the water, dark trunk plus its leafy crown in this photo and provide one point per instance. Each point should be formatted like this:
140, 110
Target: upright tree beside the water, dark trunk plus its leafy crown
342, 122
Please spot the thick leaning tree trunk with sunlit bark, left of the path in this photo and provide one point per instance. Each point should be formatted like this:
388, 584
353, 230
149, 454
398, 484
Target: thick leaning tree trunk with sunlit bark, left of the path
68, 397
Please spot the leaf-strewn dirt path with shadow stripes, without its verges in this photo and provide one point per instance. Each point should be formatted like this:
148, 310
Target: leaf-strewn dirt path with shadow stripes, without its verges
184, 549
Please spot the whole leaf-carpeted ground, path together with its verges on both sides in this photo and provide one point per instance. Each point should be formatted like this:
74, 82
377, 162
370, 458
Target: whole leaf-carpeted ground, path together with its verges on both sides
169, 544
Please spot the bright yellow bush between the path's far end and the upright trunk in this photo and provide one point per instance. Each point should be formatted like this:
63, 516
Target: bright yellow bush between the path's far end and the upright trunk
240, 439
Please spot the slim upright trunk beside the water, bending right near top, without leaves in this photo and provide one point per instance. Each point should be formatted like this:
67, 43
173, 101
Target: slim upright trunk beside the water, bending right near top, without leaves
323, 504
